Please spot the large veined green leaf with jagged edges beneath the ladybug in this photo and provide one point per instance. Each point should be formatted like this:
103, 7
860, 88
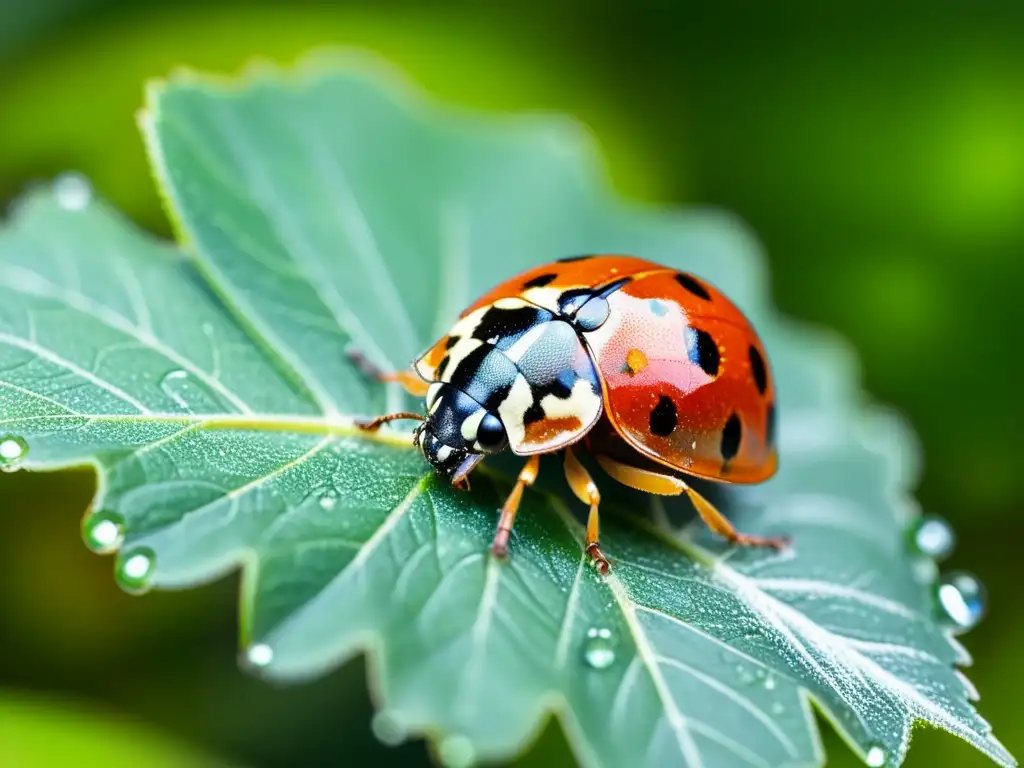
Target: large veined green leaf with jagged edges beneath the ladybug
334, 206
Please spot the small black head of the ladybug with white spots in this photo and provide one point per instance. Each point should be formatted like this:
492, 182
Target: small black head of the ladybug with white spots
458, 433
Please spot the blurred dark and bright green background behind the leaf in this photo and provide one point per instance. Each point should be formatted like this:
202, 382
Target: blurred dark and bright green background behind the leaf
877, 150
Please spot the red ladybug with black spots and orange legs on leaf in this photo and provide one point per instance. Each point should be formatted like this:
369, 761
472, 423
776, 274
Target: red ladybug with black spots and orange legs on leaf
653, 371
